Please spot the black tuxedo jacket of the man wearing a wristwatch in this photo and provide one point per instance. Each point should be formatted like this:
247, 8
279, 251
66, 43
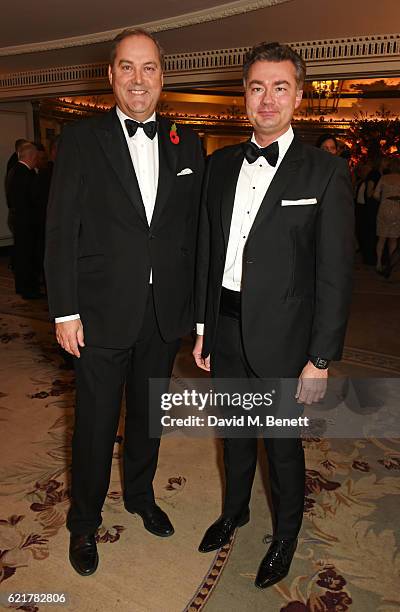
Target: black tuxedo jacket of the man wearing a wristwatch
297, 263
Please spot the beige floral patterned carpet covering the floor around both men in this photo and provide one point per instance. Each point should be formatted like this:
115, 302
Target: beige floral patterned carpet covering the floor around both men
348, 556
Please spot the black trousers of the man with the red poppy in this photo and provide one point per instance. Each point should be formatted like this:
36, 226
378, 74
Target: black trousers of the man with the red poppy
101, 376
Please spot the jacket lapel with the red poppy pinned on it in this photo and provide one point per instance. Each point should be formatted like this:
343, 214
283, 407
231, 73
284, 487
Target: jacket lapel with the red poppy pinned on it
167, 167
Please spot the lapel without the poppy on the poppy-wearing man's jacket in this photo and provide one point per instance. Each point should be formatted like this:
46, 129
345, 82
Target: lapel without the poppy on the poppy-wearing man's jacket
113, 143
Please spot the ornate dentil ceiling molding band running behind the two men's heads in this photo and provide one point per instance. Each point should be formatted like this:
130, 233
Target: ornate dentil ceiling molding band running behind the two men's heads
358, 56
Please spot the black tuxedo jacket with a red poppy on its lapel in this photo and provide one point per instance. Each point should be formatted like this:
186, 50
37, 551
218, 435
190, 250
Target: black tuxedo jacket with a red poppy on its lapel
100, 248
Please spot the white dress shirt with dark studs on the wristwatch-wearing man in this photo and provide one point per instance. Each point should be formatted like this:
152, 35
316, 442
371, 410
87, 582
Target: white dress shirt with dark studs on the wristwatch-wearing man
253, 183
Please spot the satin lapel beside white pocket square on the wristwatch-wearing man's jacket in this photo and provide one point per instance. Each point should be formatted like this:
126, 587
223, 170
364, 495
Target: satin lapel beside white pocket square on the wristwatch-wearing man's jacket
289, 166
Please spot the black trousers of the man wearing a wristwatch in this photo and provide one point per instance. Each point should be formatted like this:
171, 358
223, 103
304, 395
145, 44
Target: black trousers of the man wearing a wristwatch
285, 455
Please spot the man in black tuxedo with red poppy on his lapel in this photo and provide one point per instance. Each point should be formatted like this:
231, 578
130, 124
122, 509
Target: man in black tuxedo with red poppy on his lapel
121, 234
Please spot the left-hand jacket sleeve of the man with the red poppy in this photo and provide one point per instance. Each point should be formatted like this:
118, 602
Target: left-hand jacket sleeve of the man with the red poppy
62, 228
